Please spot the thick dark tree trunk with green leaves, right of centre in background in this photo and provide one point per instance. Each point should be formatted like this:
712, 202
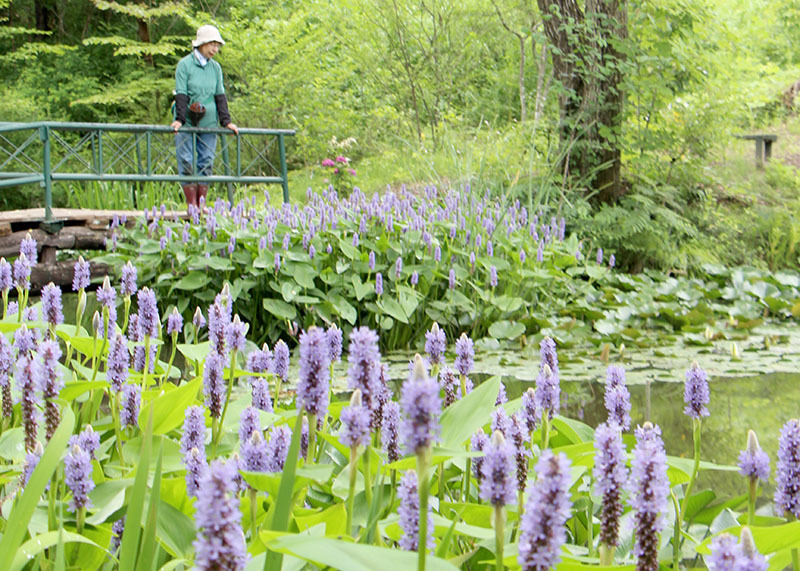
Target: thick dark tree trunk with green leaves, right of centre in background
586, 61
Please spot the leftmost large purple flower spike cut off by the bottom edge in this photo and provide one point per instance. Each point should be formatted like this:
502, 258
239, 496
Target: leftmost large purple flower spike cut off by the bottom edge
220, 541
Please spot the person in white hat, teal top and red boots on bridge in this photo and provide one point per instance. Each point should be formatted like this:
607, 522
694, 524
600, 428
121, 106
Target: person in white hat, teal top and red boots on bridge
200, 99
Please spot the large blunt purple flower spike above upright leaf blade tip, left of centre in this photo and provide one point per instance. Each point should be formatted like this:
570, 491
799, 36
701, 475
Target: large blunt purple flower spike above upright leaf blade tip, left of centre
313, 387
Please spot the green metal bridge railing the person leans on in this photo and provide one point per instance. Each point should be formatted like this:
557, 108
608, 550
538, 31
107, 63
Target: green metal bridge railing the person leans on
131, 153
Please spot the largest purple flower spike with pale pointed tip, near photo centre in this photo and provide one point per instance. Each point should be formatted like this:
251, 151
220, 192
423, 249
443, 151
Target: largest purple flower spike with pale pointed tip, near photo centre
421, 408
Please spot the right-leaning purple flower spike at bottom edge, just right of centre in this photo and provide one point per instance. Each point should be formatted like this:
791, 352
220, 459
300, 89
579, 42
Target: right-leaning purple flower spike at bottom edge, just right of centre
543, 525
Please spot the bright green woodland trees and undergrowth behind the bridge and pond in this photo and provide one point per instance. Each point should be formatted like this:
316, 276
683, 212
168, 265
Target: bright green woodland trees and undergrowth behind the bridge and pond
604, 110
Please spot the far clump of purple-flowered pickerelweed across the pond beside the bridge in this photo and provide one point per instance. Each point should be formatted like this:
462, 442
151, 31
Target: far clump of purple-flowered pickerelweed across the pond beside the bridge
394, 262
